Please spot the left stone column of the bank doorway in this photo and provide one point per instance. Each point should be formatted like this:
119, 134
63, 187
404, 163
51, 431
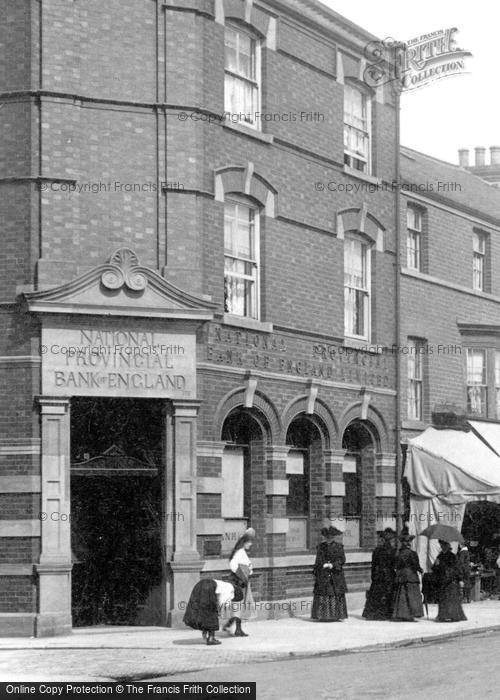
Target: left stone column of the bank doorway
54, 569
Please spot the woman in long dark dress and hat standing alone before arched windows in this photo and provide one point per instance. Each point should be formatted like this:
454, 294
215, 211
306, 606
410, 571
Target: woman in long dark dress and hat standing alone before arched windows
329, 603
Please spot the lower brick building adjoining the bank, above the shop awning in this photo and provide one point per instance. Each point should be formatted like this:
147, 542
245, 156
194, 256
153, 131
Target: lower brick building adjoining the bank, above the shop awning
450, 292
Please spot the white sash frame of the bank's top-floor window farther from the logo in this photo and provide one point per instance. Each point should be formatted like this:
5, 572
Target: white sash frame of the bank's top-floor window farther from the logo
247, 118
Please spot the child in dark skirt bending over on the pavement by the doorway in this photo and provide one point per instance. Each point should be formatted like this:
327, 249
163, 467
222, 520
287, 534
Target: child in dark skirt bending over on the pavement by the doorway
207, 598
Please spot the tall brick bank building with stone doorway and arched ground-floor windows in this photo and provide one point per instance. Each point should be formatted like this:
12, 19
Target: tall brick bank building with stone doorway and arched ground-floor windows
197, 310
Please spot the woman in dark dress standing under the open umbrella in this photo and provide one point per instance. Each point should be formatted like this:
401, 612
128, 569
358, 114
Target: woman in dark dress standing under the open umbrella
448, 576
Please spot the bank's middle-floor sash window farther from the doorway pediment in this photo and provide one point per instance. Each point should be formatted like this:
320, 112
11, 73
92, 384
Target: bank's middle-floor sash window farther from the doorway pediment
356, 288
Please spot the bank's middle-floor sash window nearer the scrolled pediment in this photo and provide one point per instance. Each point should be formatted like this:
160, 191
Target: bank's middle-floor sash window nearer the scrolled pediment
241, 259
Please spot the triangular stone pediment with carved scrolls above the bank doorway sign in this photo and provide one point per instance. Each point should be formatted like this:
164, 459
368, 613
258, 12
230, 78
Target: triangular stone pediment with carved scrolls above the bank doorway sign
121, 287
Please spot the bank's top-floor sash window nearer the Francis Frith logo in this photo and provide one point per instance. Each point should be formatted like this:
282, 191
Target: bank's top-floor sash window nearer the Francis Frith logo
357, 118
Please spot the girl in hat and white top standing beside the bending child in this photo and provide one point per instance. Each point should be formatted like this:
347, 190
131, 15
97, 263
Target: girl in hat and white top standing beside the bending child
241, 570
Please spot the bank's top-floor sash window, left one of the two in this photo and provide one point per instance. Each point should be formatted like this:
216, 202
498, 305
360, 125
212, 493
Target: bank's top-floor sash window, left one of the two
242, 75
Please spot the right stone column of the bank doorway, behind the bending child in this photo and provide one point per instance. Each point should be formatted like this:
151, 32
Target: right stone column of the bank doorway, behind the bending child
185, 563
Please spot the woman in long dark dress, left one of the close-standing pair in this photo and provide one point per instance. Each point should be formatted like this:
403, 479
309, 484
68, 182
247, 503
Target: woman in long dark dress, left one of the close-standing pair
380, 596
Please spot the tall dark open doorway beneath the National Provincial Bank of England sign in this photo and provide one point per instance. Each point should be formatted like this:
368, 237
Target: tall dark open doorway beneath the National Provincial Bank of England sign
116, 452
